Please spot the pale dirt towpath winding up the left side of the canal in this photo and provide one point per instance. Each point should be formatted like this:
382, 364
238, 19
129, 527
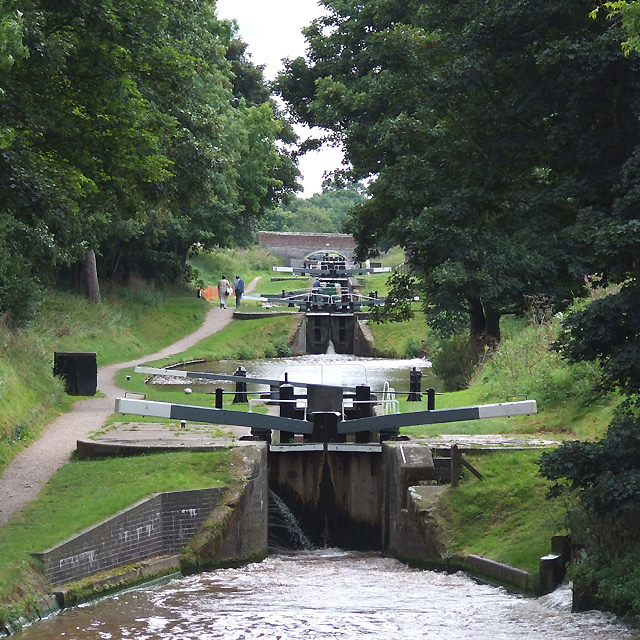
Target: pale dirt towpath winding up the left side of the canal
30, 470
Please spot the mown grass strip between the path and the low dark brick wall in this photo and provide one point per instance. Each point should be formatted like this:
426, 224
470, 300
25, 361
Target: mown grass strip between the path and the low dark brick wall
82, 494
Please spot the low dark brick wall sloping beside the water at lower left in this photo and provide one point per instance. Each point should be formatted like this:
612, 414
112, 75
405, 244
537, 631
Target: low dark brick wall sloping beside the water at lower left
161, 524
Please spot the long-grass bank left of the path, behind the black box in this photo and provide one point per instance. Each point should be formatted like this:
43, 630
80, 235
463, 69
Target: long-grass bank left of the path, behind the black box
128, 323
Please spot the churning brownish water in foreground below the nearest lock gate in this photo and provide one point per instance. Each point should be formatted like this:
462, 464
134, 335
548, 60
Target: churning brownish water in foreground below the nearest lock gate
327, 594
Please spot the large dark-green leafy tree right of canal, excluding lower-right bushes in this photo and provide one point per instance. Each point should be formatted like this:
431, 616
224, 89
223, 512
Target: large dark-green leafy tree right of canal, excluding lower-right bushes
477, 125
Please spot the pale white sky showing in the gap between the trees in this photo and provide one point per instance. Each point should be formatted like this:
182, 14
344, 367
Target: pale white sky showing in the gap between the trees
272, 30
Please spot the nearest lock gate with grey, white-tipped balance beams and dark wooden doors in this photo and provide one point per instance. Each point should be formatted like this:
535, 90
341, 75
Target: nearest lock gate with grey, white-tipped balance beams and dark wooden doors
337, 457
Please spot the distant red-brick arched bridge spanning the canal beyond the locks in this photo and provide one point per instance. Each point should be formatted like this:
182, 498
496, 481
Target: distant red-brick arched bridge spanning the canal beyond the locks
293, 248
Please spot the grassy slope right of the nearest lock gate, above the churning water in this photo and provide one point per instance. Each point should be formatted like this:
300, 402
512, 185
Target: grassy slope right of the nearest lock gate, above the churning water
504, 517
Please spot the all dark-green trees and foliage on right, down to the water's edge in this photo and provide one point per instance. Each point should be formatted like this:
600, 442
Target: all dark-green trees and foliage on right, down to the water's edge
503, 139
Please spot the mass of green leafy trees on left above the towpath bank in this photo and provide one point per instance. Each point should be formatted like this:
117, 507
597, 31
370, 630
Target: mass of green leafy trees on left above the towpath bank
129, 133
